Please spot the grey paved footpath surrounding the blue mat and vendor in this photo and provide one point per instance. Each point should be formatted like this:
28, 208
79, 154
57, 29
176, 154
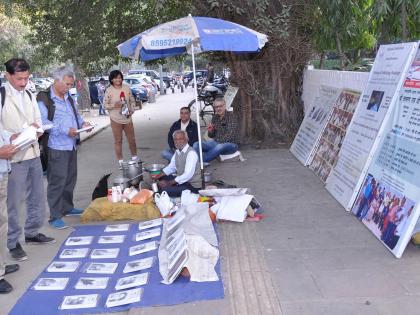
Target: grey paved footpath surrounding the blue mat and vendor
308, 256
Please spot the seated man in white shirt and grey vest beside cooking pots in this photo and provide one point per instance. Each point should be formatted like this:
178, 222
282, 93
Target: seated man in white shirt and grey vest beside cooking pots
177, 176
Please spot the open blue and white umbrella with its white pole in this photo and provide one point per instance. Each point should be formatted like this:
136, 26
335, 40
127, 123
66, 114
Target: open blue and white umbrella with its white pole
192, 35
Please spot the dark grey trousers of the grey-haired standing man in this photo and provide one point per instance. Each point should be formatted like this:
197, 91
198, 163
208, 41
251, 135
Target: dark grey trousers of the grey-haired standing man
62, 177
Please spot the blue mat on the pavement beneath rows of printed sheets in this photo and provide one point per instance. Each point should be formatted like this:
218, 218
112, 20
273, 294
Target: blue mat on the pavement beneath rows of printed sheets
154, 292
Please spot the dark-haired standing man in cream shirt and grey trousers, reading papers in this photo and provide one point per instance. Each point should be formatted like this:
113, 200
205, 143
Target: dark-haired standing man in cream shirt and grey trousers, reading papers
19, 110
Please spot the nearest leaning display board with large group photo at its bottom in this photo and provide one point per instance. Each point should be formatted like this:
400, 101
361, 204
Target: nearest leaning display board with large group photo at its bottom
388, 201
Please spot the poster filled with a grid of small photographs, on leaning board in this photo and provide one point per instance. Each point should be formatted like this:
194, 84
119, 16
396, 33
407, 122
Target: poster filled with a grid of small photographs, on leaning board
332, 136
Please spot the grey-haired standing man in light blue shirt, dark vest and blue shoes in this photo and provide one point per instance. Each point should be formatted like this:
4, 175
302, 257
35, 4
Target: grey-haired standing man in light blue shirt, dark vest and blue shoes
58, 109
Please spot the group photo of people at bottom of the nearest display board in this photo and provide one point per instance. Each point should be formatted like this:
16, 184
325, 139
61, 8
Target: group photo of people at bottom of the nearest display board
383, 210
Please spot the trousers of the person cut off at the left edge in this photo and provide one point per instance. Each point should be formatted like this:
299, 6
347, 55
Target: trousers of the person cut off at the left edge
3, 223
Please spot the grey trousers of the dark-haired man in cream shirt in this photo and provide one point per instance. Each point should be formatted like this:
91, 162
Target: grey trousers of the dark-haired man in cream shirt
25, 184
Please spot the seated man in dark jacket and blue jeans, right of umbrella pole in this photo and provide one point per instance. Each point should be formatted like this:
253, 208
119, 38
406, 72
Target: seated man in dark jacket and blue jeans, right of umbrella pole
224, 129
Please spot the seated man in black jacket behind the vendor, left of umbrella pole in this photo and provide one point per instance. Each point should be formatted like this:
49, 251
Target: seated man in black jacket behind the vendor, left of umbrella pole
186, 124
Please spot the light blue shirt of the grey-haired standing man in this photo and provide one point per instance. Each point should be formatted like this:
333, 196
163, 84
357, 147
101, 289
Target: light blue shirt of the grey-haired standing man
62, 122
